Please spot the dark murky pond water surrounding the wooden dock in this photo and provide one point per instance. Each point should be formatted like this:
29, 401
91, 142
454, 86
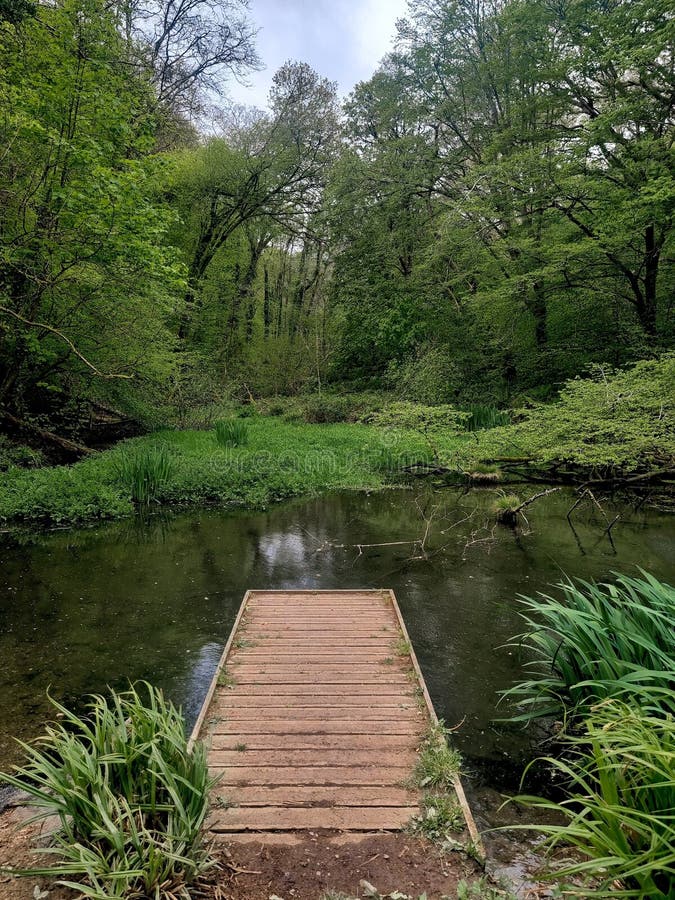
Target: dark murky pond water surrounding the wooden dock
155, 597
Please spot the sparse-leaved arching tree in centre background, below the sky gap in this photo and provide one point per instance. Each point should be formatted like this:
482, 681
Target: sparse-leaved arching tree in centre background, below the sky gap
271, 172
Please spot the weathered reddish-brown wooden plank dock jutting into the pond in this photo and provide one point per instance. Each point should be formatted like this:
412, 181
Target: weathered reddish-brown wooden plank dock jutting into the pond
315, 716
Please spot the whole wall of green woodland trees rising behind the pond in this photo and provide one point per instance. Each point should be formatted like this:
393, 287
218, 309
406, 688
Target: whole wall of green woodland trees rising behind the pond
486, 217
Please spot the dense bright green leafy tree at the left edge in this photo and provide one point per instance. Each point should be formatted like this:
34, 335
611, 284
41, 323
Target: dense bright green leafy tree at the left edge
86, 283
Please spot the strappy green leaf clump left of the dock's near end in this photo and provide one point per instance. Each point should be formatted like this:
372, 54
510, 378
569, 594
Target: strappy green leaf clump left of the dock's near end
130, 796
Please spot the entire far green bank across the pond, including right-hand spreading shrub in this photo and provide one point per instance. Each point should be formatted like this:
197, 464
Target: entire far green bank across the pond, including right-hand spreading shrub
609, 430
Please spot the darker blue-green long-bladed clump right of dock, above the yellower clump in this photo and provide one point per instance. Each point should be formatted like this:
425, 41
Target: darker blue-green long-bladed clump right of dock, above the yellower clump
596, 642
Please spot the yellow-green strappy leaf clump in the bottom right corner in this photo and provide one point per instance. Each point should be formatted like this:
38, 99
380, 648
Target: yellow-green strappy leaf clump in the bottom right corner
619, 813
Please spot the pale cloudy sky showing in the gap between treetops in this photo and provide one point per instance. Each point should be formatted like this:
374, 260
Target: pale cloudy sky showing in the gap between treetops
342, 39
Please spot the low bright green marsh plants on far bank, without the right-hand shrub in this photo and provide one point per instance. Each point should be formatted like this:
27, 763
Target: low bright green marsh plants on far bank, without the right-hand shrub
279, 461
